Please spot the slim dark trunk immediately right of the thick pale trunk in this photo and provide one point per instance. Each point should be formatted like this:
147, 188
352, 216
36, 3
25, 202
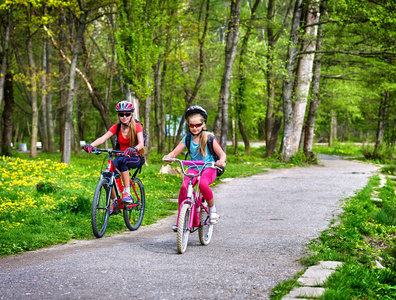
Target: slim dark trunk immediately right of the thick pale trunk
315, 102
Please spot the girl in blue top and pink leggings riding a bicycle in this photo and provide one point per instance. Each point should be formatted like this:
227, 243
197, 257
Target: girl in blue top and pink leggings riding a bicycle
196, 118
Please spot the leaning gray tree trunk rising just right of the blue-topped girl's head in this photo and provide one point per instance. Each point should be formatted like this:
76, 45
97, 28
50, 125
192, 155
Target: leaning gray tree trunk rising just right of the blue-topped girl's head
230, 50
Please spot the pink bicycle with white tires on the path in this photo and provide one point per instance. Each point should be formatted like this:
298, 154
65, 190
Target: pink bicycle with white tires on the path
193, 211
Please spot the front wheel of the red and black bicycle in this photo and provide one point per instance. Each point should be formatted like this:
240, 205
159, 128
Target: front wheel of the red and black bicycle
101, 208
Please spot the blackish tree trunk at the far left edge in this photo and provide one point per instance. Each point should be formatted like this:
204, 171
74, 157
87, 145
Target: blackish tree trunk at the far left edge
8, 114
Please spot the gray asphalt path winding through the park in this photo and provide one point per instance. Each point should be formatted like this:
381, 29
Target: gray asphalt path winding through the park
266, 220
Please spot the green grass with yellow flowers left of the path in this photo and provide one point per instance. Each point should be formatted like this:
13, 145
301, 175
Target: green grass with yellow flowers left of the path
44, 202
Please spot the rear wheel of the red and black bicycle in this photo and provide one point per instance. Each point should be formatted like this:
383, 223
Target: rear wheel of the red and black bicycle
133, 214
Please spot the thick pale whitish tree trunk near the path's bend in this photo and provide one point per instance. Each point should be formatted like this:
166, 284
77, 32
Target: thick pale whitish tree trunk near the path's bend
304, 73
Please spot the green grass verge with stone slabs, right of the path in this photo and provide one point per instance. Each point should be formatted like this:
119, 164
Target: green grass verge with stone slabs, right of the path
364, 233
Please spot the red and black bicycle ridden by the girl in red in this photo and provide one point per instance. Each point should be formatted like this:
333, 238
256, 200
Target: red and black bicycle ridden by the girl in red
110, 180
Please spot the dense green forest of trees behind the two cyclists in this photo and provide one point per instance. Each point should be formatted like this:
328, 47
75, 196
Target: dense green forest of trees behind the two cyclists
287, 72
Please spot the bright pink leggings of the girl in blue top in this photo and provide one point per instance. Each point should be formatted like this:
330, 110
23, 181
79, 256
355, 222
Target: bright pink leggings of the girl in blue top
207, 177
